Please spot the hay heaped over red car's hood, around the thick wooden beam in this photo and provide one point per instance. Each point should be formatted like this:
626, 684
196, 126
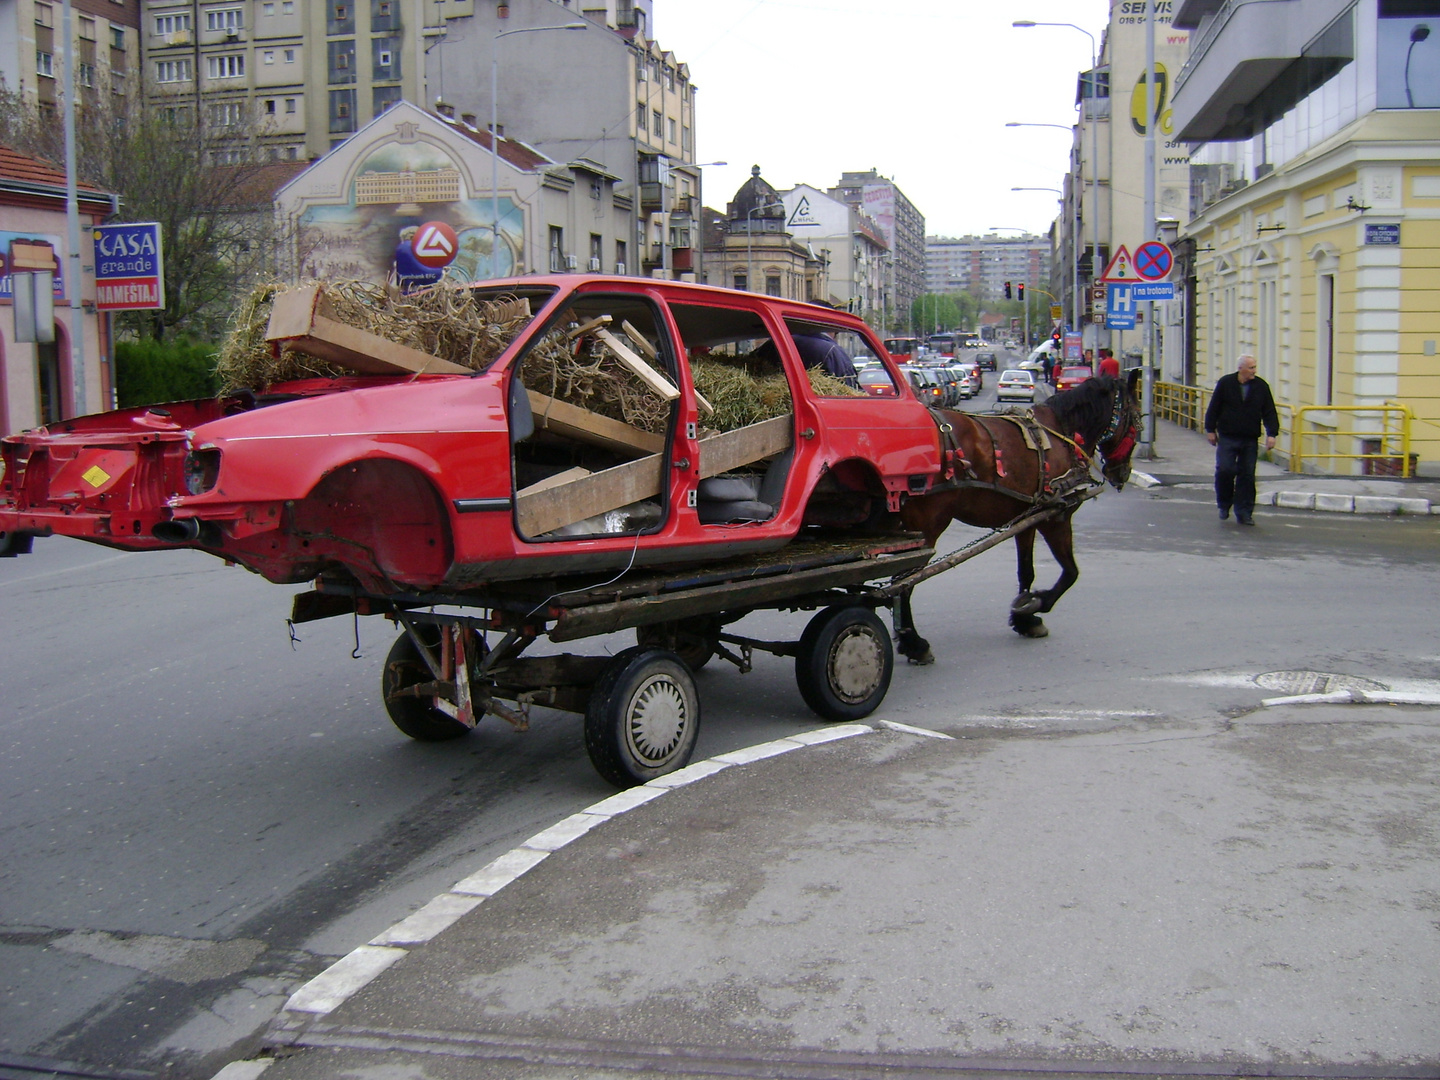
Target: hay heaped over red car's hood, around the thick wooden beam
449, 322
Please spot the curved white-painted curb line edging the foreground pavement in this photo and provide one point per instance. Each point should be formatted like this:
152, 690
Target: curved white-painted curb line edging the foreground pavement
329, 991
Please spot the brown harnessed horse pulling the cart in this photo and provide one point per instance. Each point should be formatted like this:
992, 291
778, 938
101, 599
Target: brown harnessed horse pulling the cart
1000, 467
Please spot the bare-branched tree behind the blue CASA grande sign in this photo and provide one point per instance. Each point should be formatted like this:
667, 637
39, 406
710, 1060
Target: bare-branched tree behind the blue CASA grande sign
202, 182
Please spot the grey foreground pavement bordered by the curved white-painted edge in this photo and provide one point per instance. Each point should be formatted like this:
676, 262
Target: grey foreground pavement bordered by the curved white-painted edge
850, 902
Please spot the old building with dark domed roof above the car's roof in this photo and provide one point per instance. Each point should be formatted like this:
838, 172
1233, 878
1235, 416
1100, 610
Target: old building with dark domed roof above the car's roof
751, 248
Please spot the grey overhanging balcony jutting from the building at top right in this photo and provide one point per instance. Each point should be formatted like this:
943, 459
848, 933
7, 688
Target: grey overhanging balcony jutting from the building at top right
1251, 61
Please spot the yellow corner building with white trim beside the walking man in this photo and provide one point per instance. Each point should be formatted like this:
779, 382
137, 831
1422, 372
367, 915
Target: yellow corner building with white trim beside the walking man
1315, 237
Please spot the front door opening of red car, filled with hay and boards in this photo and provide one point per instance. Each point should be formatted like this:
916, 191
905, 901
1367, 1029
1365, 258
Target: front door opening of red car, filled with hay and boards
593, 411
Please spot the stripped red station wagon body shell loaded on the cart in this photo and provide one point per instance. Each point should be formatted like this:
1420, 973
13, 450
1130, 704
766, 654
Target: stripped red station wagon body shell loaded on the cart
407, 483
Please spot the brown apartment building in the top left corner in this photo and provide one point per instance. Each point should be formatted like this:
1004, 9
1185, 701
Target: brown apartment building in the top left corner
104, 41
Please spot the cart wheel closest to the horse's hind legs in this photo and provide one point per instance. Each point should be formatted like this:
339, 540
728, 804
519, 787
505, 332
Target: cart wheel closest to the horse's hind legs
845, 663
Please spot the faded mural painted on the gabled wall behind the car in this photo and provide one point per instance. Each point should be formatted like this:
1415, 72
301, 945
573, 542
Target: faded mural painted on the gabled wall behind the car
398, 188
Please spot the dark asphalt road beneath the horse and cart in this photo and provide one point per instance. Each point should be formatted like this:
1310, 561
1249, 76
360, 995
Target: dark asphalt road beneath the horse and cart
199, 816
